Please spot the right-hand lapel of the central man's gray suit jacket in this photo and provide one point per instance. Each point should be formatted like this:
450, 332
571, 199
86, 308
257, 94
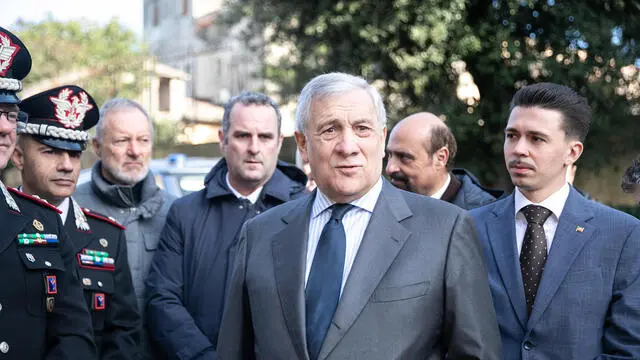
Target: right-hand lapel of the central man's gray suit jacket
382, 240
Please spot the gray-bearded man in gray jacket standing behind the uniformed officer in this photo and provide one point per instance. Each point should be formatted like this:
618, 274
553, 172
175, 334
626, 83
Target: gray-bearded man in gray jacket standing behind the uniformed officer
123, 188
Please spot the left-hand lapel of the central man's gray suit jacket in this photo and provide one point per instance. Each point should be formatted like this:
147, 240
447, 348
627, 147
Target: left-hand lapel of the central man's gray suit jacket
289, 258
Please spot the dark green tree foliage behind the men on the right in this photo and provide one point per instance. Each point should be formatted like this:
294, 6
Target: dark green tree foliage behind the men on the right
410, 50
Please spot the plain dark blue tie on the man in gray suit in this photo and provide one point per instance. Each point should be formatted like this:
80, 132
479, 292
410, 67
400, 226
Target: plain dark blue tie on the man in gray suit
325, 279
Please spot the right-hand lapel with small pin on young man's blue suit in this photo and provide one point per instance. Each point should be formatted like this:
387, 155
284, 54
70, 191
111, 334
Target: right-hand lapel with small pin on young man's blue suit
567, 243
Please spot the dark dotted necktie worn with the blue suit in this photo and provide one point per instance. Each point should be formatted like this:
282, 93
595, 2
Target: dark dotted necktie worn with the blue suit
534, 251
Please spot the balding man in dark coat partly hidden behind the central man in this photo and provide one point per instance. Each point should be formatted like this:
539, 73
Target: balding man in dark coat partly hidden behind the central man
421, 152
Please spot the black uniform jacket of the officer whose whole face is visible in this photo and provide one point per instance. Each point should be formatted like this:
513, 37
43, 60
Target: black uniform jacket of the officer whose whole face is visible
101, 254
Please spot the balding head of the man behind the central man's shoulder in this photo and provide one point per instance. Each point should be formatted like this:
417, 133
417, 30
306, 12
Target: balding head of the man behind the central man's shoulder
421, 151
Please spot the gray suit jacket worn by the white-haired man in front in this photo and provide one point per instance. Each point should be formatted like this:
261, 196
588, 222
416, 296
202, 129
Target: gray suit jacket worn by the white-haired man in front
417, 288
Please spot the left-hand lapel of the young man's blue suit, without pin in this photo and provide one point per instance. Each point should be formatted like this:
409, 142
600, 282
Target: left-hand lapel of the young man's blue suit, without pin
502, 237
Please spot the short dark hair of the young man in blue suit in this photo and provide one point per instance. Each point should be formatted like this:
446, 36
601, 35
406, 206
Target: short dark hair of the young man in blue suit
575, 110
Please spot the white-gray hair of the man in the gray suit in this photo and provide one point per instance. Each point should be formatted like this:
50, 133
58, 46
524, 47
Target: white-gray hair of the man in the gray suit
331, 84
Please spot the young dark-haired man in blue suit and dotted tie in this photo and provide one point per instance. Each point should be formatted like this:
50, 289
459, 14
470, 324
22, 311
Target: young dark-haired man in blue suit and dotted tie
564, 271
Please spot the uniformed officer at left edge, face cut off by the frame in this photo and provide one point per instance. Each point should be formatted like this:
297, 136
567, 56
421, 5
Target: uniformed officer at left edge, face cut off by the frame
42, 311
